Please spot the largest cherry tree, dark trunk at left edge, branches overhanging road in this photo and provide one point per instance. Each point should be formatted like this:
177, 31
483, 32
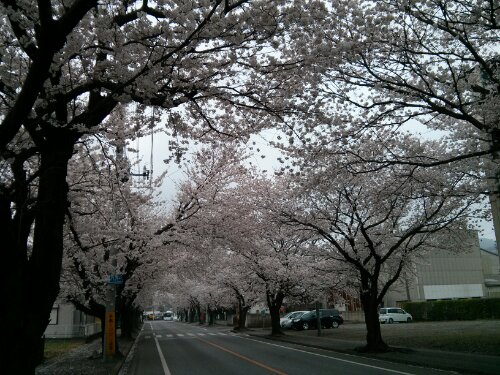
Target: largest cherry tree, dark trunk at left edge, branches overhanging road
66, 68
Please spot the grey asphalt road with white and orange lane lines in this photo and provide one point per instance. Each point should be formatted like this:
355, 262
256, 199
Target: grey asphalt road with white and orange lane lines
174, 348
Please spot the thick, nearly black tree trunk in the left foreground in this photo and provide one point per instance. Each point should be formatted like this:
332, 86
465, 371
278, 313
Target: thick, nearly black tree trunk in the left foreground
31, 281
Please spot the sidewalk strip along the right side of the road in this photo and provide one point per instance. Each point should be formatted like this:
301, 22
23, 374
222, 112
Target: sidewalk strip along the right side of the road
464, 363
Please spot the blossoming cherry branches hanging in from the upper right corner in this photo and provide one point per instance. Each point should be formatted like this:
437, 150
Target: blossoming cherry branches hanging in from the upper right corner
393, 61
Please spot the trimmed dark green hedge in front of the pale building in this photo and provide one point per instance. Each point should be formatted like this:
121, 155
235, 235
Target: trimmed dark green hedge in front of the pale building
462, 309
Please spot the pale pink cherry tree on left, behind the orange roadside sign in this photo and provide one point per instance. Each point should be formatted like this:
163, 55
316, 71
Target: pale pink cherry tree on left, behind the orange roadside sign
109, 231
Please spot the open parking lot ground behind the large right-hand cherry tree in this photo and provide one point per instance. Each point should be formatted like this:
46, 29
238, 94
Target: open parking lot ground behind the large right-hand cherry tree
477, 336
